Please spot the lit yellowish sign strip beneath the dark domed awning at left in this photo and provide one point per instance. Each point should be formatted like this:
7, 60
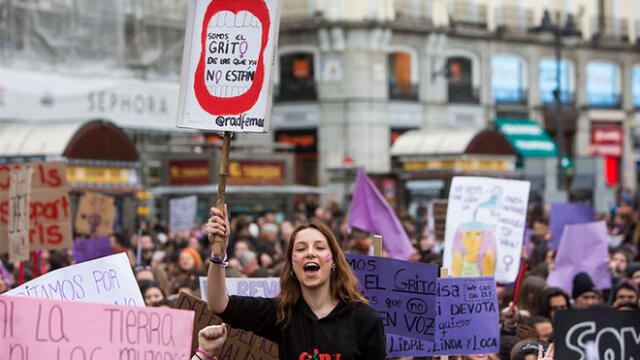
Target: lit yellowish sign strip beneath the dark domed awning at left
101, 175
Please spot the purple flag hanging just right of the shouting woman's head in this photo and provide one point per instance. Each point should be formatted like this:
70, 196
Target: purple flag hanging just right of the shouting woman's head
371, 212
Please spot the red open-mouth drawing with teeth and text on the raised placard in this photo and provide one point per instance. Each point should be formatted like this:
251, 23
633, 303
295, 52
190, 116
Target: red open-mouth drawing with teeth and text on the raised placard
221, 91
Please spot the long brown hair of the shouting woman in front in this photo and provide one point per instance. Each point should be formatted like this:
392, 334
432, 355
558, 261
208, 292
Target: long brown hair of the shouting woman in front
344, 284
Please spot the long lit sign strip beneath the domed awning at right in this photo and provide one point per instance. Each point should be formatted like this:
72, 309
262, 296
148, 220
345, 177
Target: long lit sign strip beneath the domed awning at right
459, 165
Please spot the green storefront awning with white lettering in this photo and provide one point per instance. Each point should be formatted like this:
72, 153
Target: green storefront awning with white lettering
527, 137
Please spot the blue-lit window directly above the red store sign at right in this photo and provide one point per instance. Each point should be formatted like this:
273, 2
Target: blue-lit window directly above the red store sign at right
603, 85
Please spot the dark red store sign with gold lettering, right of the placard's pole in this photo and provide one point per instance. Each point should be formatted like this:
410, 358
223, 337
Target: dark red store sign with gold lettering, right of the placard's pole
256, 173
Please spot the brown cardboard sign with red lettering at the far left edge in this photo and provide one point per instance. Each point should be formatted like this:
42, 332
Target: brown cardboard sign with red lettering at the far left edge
49, 207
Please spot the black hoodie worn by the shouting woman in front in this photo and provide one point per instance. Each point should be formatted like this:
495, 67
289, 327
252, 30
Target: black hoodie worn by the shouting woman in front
349, 332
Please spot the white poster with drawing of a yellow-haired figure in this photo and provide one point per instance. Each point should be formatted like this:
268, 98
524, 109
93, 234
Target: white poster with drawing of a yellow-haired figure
486, 219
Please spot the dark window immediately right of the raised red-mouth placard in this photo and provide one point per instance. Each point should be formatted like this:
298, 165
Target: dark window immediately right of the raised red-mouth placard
297, 78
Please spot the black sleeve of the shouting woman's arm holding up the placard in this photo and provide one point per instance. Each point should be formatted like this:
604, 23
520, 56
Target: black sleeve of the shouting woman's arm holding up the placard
254, 314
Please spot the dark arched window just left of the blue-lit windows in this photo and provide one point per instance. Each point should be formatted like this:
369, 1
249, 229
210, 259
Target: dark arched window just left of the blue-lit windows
460, 76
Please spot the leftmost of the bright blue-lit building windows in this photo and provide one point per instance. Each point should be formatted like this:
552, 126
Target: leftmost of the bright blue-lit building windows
507, 80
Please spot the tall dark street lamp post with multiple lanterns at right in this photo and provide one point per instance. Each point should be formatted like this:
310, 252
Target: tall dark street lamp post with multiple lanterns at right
559, 32
